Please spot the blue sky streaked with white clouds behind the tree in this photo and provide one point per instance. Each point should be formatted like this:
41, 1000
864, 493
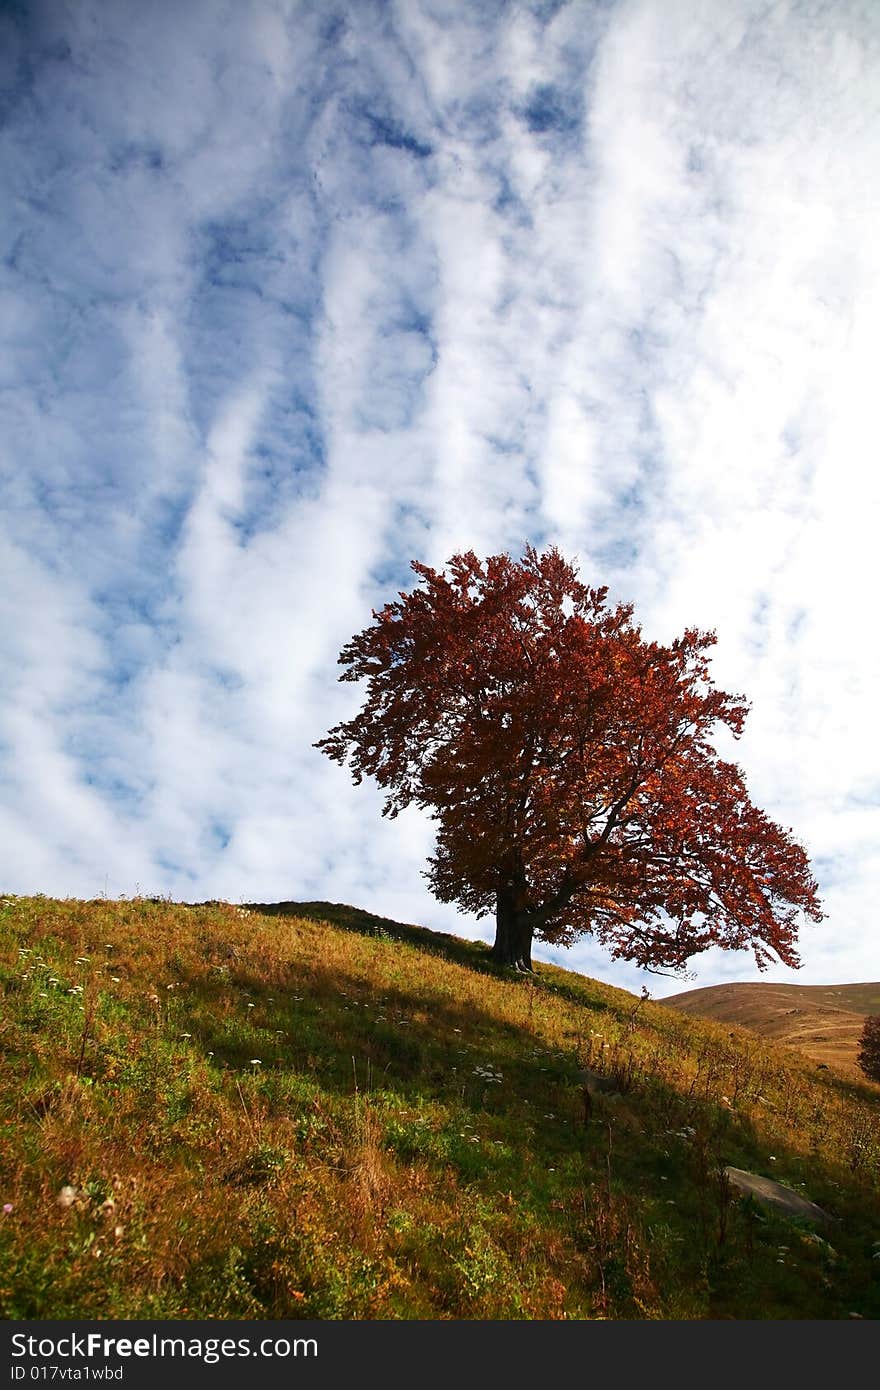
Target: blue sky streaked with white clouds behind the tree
293, 294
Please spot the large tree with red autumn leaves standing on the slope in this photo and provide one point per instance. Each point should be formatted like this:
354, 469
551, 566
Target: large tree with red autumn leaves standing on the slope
569, 767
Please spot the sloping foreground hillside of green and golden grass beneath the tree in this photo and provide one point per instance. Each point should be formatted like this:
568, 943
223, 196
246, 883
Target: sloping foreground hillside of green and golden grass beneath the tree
305, 1111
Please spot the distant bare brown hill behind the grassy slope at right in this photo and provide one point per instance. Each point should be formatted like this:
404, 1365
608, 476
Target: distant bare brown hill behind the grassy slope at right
822, 1021
